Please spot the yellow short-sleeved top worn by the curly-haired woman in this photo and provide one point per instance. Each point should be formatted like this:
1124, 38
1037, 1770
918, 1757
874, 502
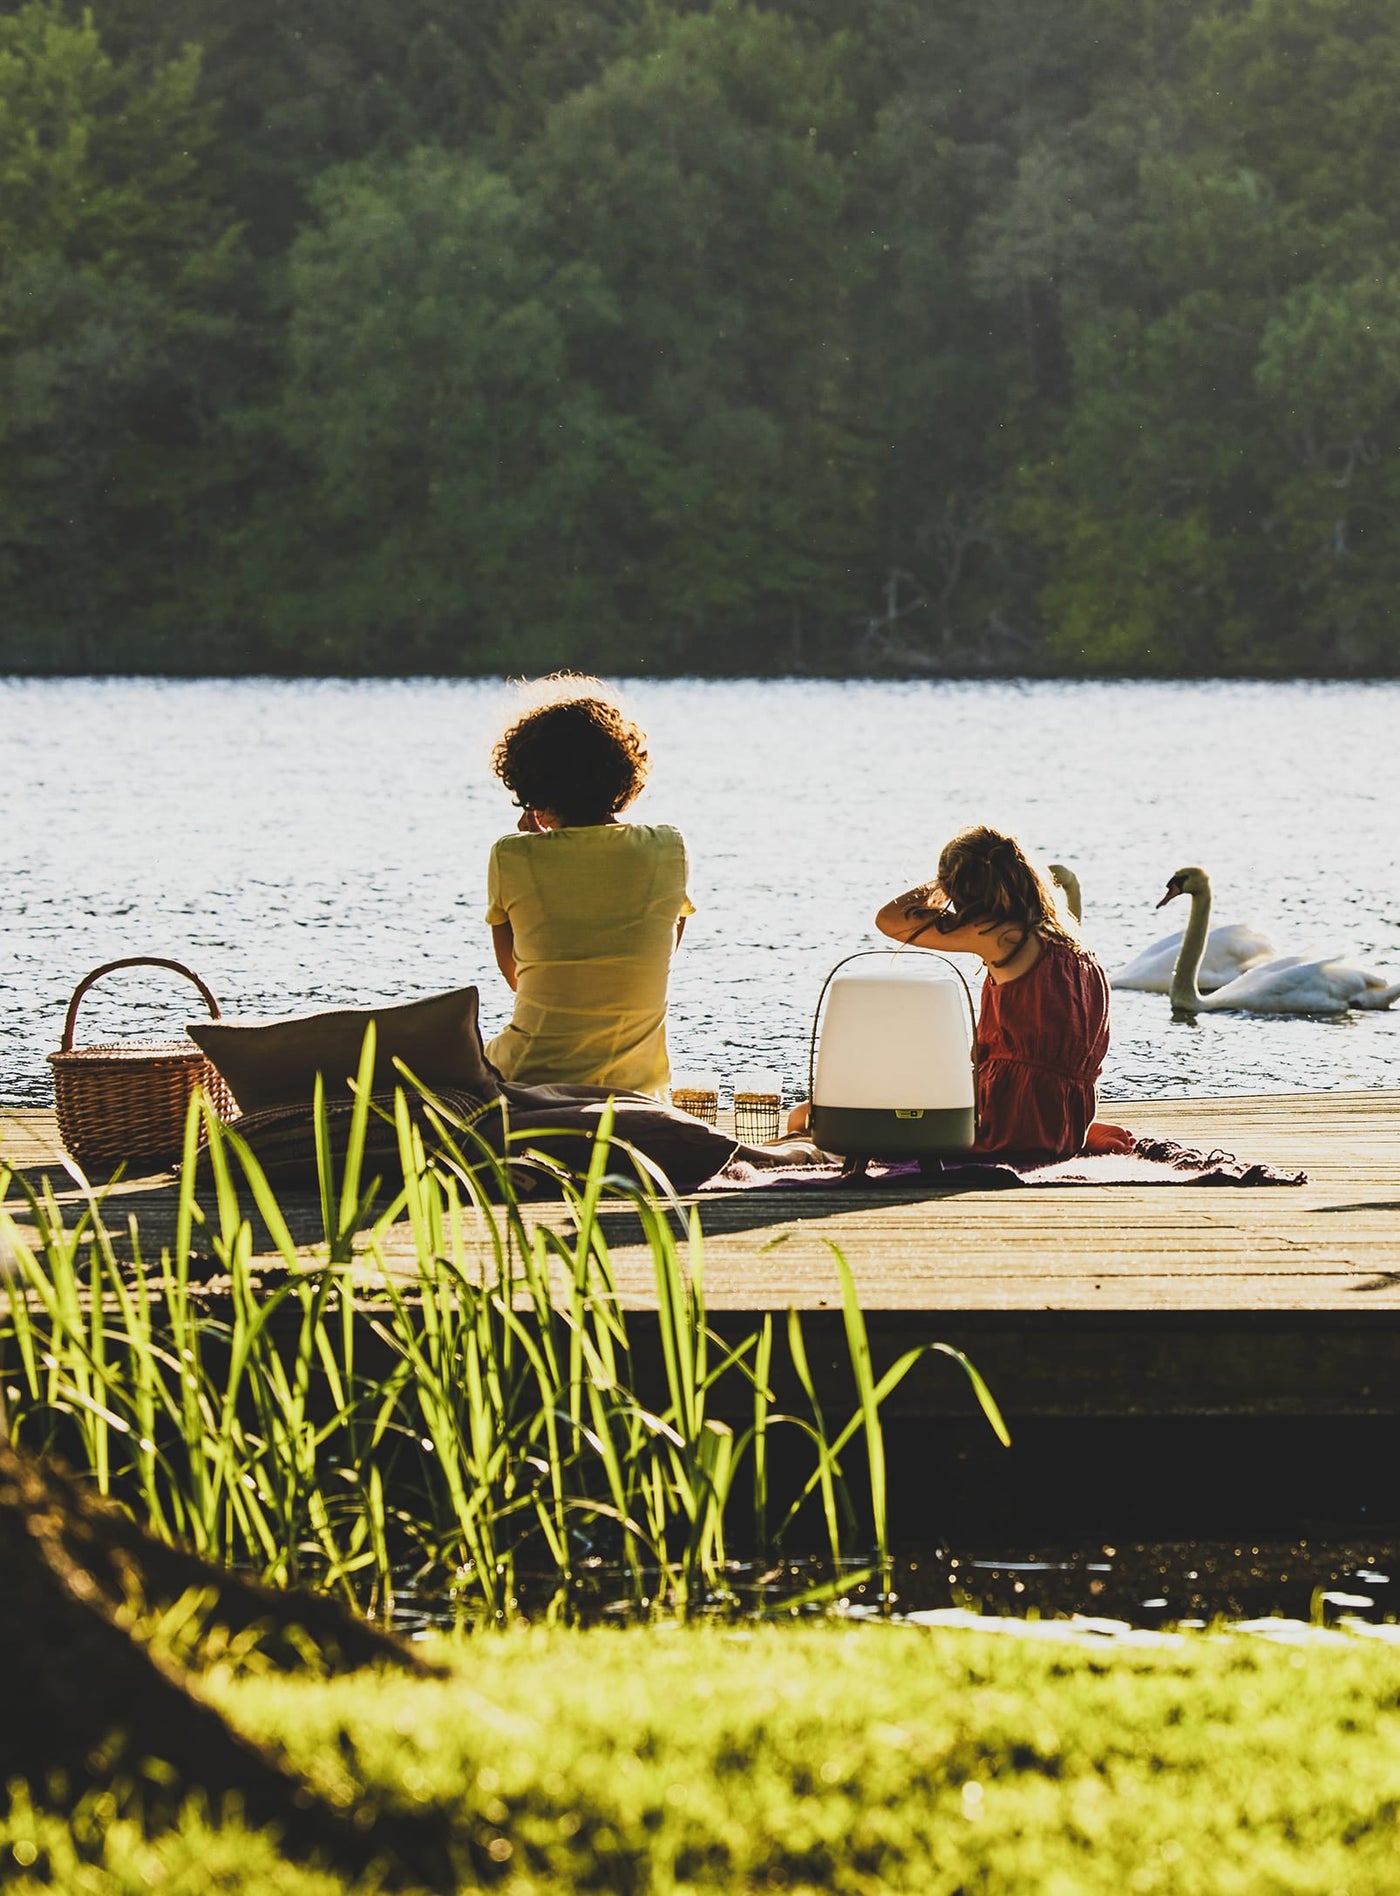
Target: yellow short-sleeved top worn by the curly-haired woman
593, 911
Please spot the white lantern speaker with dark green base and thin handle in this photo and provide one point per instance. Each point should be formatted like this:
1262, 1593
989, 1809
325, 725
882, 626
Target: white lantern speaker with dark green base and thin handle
893, 1059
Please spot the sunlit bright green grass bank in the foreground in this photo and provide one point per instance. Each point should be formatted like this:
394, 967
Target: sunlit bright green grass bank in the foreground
826, 1759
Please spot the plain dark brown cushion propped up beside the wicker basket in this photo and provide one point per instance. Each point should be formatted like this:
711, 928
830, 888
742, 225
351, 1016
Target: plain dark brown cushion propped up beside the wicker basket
276, 1063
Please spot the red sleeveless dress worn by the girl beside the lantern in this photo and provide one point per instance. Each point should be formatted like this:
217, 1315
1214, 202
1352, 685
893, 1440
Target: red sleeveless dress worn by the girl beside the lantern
1041, 1049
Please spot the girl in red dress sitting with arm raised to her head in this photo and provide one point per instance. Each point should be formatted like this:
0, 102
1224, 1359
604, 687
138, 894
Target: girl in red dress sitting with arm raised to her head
1042, 1032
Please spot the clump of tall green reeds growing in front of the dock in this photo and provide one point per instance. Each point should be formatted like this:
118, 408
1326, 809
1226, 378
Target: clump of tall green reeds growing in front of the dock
443, 1391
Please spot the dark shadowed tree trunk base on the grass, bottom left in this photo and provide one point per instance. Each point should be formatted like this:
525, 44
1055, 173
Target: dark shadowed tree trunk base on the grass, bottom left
90, 1704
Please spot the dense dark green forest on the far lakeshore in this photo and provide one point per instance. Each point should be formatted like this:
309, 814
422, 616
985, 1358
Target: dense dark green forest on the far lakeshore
445, 337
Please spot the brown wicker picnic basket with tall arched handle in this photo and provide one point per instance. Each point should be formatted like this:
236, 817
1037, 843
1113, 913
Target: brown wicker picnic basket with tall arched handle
128, 1101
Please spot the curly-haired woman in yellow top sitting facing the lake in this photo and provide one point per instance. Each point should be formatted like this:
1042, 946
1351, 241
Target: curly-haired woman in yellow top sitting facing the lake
585, 911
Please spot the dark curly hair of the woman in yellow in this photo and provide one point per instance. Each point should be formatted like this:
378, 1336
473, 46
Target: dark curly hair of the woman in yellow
578, 757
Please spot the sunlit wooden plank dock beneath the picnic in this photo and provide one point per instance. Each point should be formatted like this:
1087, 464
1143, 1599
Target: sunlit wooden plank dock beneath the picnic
1075, 1302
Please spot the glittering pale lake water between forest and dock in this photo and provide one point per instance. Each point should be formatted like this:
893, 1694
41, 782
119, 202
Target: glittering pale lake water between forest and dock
325, 845
